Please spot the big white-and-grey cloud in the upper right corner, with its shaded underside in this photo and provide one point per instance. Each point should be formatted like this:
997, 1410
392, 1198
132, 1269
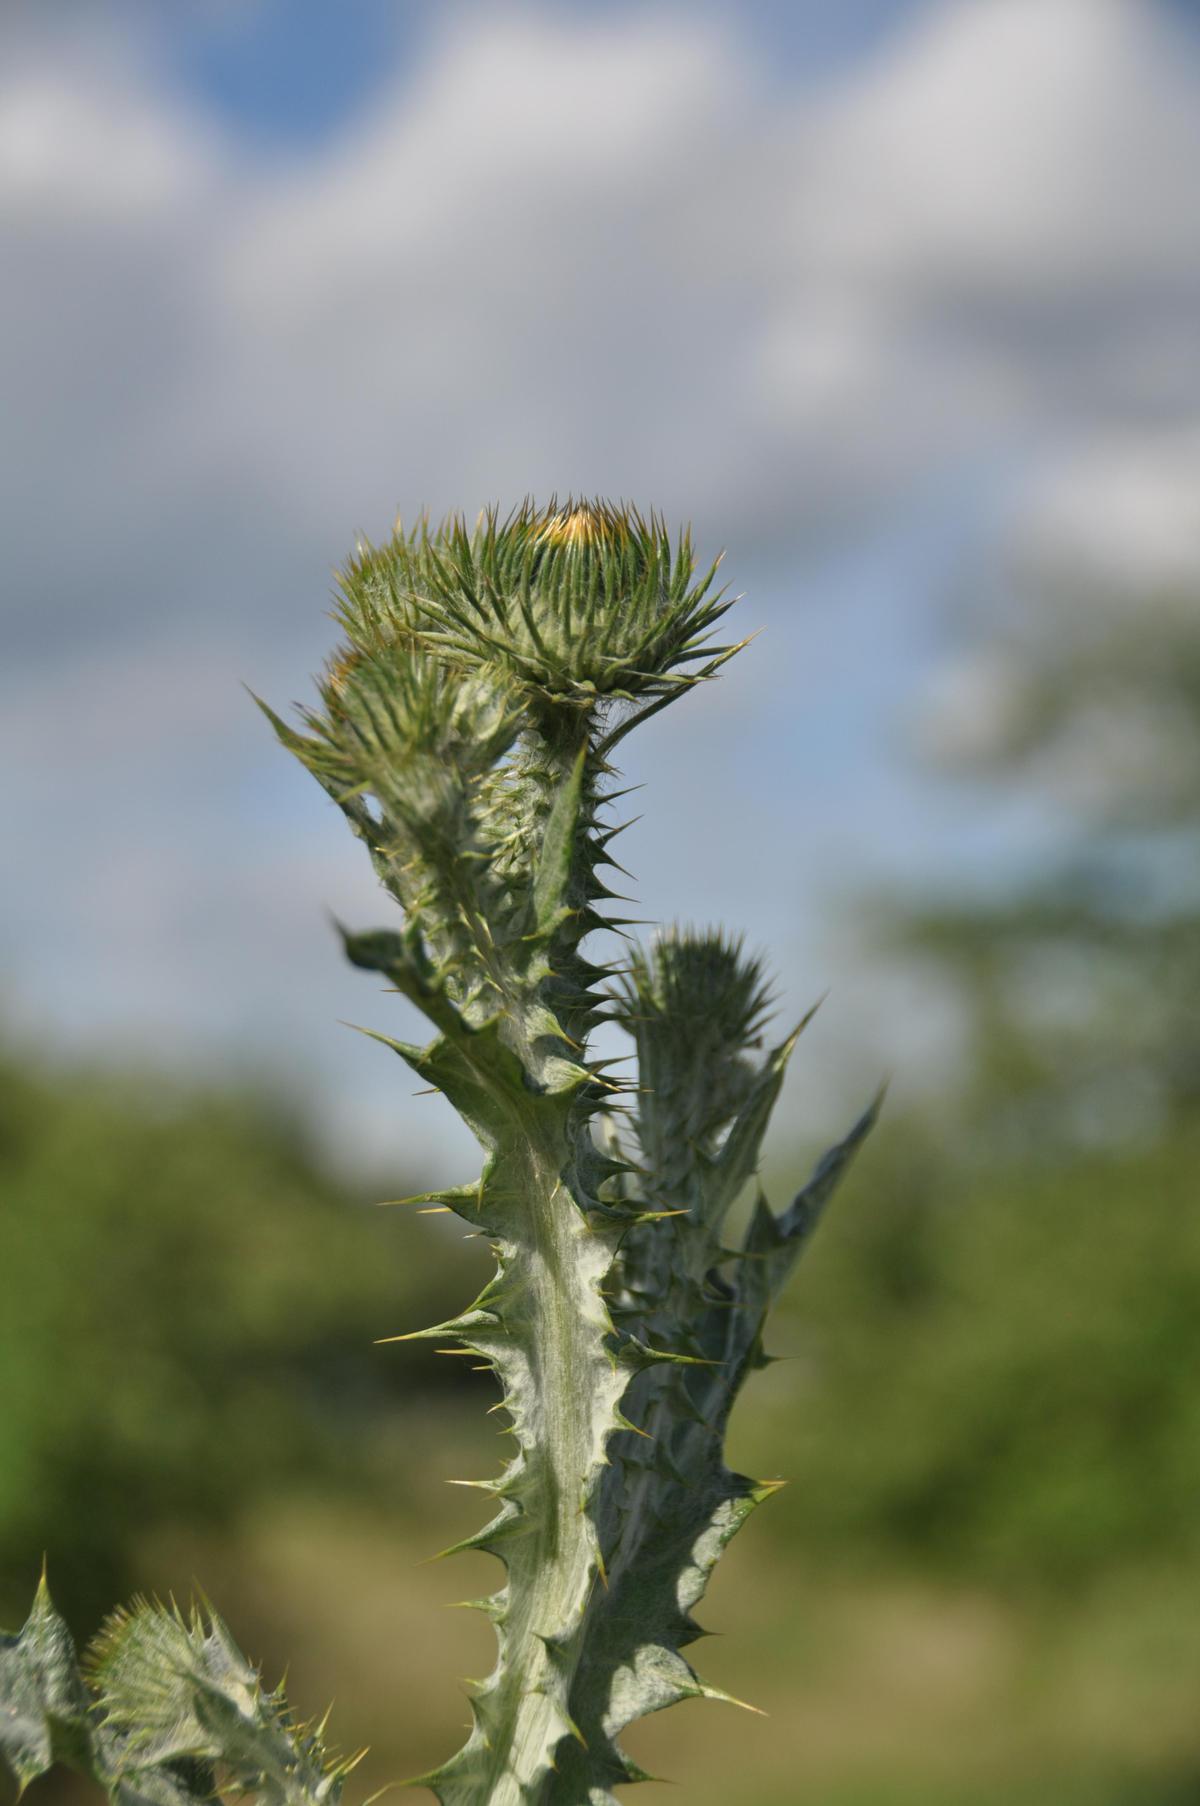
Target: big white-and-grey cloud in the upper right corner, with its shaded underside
989, 237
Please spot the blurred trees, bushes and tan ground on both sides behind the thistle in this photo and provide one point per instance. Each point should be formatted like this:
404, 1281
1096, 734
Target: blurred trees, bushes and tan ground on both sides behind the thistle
982, 1581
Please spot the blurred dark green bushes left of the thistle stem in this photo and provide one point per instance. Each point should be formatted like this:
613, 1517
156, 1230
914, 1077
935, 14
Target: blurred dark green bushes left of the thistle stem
187, 1310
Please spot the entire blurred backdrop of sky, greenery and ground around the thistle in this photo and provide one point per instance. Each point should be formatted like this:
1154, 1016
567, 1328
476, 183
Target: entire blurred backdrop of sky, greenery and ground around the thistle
897, 301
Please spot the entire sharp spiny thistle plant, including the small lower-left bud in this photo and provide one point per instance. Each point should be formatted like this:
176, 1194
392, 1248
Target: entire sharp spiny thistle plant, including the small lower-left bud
467, 731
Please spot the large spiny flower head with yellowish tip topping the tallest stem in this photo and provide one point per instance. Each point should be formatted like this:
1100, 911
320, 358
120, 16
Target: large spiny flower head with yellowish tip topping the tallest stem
576, 602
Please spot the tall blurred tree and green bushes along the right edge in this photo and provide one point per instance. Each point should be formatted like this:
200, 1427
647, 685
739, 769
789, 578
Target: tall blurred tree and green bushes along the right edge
1002, 1328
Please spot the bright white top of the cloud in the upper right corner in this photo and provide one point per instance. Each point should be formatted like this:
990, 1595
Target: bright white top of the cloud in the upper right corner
1009, 153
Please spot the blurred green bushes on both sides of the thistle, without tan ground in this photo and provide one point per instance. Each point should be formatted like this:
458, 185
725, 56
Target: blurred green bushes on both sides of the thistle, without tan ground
995, 1379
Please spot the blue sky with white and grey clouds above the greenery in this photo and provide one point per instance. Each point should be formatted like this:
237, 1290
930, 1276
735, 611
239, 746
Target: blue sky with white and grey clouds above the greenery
881, 295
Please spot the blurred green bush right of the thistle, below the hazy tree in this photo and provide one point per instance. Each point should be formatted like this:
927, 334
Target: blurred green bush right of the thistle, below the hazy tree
998, 1368
